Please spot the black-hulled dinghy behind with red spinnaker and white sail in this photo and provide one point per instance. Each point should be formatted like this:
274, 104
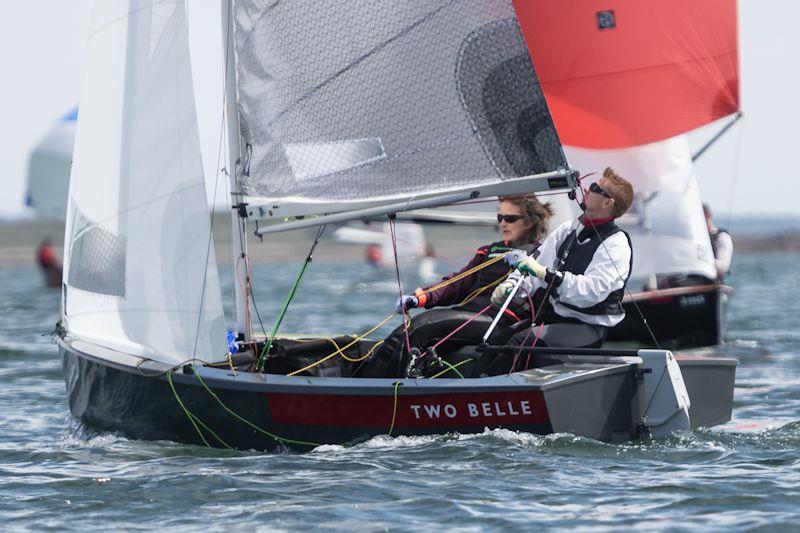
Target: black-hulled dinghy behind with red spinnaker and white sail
633, 79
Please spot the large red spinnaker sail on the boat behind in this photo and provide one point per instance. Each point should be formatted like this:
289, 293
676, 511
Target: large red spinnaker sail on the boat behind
619, 73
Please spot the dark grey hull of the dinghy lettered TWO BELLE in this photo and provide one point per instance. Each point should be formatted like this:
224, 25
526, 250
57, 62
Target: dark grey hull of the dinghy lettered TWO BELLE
599, 398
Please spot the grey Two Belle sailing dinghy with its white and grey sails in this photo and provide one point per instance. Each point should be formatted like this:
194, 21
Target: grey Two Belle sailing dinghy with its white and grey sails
333, 113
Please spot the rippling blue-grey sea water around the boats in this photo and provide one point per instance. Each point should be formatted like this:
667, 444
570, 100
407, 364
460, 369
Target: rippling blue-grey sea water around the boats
55, 473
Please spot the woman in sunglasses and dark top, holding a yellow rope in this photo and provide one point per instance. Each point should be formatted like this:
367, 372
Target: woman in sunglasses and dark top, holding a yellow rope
523, 223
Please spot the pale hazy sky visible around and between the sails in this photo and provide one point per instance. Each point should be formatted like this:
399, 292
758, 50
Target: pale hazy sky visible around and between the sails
749, 172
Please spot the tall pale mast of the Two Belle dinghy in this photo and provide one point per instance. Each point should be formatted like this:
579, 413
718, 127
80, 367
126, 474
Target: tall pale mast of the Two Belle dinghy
241, 280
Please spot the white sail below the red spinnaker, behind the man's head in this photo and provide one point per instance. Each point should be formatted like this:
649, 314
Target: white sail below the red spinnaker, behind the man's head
666, 221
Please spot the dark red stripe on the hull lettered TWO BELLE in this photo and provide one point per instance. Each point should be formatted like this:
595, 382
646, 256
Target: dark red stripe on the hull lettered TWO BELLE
434, 410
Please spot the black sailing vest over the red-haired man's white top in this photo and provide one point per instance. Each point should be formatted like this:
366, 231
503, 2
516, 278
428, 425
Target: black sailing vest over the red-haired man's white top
581, 251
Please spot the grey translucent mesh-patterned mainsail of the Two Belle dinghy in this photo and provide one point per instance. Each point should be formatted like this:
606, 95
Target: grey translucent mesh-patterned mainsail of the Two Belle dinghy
350, 104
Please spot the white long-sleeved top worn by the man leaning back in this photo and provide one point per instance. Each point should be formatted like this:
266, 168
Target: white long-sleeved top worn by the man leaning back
607, 272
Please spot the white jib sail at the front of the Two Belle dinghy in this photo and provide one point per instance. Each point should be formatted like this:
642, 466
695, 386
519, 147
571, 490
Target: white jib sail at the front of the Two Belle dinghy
139, 274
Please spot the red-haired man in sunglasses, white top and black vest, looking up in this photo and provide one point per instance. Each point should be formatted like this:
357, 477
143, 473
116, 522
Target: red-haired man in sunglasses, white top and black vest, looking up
580, 275
